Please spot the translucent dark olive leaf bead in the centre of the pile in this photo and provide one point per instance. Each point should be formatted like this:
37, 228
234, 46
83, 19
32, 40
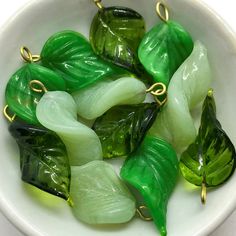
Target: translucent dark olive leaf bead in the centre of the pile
122, 128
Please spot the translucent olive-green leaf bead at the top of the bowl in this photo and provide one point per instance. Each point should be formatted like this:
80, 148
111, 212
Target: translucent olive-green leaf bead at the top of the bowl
115, 35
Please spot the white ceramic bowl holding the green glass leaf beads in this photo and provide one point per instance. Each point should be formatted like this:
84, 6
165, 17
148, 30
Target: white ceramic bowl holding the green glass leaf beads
49, 216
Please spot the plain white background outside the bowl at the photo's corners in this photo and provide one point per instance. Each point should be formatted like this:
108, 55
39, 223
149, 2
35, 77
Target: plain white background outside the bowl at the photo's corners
224, 8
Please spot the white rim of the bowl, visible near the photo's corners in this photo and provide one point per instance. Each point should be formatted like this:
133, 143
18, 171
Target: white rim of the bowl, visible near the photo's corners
25, 227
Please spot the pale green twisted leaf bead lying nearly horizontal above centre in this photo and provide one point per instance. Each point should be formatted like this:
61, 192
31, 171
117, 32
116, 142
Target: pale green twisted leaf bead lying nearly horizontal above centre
94, 101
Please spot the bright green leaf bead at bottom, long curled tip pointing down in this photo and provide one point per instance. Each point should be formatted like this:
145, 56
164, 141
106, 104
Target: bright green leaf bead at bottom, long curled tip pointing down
153, 169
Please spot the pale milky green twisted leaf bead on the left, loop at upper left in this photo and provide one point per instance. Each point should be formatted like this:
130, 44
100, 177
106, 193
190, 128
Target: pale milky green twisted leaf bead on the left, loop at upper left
57, 112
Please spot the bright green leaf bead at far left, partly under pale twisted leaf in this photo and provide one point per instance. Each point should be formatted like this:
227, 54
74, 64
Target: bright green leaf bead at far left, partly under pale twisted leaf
21, 99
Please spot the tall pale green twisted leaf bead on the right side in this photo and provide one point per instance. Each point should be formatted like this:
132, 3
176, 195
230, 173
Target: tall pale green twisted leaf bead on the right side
187, 88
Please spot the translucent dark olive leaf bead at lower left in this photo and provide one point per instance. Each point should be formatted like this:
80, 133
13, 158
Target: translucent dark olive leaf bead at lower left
43, 157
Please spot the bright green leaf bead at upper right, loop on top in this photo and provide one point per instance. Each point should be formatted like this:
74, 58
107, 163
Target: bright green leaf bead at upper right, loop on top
163, 49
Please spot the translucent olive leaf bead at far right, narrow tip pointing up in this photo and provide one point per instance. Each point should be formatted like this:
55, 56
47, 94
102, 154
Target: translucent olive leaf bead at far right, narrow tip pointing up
211, 158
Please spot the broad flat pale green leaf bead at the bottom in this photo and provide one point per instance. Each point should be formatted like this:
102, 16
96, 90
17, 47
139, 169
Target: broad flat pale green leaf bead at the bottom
99, 196
